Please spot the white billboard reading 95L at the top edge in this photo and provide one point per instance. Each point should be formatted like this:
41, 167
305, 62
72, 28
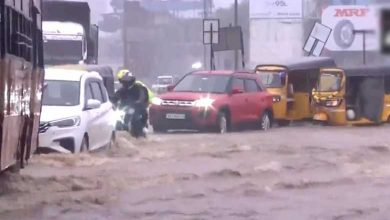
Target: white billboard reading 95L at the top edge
276, 9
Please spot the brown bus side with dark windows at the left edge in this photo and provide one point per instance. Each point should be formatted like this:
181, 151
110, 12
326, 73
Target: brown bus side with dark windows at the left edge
21, 80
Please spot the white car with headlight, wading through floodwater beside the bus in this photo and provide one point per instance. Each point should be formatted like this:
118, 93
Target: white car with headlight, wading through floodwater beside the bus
76, 113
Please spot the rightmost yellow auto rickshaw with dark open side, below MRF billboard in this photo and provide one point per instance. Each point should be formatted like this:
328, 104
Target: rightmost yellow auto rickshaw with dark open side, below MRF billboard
353, 96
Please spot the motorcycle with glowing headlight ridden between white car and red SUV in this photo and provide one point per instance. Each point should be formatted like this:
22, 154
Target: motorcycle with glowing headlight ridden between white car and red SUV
129, 119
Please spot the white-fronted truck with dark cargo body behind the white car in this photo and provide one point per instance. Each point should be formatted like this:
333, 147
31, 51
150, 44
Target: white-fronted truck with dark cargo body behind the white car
69, 37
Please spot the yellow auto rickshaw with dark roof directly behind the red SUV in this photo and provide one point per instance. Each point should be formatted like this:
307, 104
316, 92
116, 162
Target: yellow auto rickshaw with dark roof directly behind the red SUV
292, 83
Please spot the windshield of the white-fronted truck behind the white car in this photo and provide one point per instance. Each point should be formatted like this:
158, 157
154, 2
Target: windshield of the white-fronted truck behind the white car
63, 52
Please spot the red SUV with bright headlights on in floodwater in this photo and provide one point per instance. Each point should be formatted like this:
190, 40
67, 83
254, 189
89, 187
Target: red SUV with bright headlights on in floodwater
219, 100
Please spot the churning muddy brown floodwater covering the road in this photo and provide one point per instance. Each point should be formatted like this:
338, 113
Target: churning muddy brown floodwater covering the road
300, 172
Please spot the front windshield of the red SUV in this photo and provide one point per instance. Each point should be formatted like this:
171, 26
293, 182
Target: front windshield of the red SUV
203, 83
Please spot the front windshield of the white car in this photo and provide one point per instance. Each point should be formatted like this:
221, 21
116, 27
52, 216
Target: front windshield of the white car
61, 93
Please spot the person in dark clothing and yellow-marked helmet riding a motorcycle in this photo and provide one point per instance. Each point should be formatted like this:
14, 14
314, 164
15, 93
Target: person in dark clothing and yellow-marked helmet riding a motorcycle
132, 94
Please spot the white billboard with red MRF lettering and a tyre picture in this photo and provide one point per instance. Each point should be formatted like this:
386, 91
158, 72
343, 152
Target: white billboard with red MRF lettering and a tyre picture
345, 20
